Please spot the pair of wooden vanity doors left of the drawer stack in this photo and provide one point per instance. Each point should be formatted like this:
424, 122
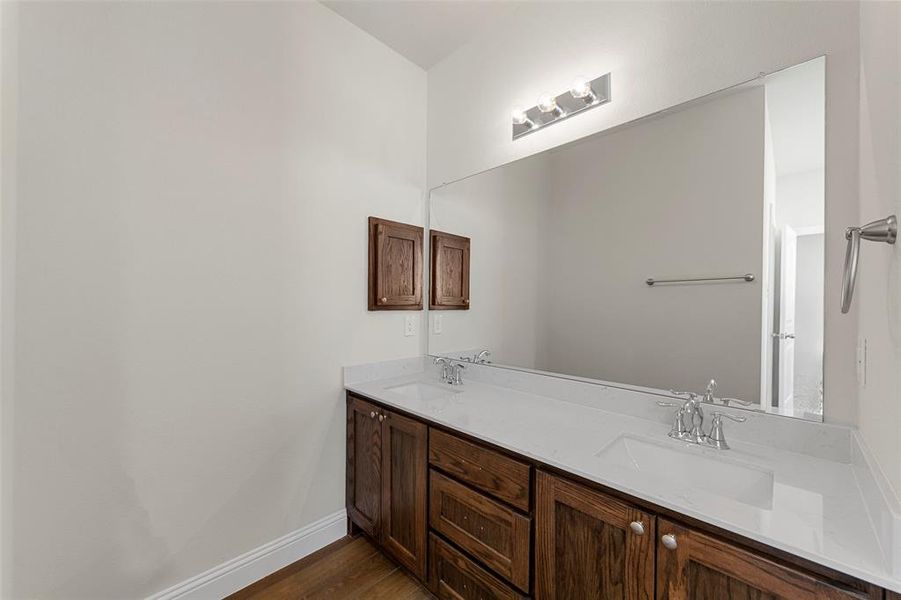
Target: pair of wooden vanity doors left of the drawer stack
386, 491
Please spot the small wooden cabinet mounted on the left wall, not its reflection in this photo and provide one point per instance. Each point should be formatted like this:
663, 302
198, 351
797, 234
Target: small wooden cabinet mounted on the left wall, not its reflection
395, 265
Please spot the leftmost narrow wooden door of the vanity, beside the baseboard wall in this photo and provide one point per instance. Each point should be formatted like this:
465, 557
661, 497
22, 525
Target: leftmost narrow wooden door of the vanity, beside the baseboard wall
364, 460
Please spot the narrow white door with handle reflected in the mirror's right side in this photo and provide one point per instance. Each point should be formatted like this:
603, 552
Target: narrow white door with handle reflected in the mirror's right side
785, 337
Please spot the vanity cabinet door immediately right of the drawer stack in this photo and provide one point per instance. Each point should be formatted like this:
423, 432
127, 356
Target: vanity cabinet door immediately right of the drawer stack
586, 547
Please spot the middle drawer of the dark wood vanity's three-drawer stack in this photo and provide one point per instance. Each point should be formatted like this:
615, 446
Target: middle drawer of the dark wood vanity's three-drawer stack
493, 533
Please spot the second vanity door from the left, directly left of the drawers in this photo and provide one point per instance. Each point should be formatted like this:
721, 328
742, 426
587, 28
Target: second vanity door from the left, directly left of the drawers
404, 494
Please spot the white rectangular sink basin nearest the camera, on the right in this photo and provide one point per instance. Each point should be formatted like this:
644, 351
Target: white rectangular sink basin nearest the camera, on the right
692, 467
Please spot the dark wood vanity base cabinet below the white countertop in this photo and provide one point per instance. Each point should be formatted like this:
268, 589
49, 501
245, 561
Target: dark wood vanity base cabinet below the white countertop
495, 526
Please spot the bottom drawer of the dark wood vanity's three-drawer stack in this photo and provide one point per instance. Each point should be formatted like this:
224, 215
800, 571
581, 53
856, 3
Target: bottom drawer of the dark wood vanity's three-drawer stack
452, 576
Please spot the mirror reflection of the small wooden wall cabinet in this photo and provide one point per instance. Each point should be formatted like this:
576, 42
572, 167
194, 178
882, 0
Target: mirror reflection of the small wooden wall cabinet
450, 271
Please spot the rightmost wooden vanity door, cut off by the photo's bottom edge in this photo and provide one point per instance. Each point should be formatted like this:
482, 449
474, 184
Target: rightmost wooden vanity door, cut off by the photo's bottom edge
694, 566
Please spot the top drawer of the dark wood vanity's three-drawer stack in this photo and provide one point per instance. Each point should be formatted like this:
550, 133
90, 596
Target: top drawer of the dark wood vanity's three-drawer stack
504, 478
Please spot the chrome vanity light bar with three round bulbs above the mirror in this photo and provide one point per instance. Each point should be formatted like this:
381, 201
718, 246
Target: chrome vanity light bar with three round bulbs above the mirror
583, 94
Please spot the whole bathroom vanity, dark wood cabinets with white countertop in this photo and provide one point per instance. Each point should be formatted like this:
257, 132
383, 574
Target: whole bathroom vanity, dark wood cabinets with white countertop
483, 491
